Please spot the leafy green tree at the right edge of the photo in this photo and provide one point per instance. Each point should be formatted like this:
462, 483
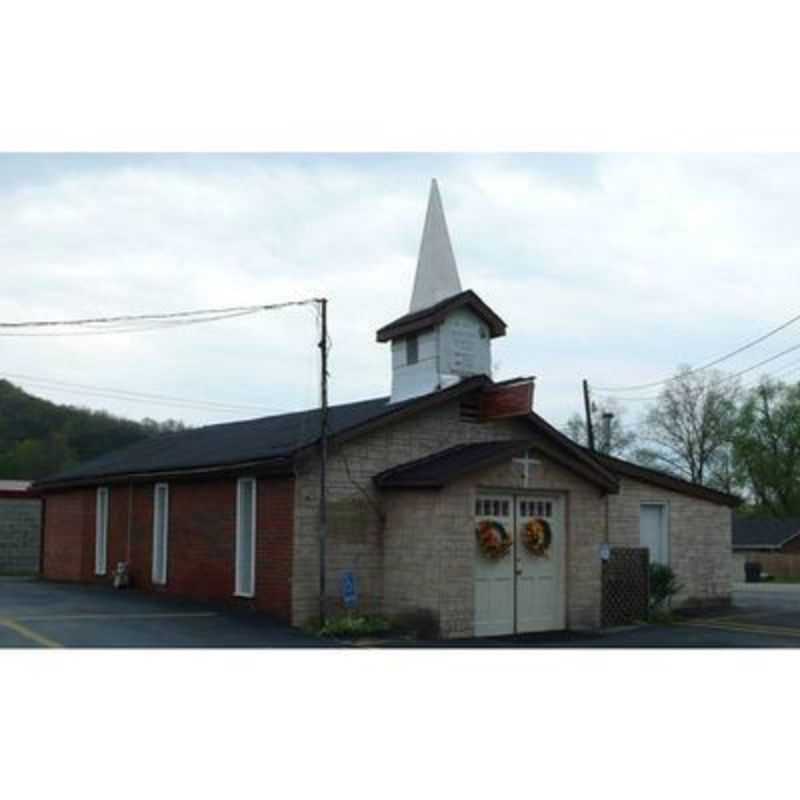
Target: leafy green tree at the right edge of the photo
766, 447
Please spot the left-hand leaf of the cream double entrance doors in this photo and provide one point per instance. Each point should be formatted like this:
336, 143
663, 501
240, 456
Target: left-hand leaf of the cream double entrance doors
494, 578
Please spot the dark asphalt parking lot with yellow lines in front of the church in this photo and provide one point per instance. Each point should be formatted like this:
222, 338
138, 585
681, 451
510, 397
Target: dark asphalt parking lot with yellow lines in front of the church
45, 615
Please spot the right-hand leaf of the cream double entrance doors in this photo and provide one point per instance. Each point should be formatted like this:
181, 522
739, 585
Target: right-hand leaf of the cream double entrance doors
540, 581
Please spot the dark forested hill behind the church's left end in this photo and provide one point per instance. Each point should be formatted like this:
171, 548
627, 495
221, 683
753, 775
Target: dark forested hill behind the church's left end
38, 438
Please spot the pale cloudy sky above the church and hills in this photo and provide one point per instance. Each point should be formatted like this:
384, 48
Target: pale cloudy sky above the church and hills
615, 268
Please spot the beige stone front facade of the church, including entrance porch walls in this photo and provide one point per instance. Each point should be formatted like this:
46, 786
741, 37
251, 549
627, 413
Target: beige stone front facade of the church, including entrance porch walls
357, 541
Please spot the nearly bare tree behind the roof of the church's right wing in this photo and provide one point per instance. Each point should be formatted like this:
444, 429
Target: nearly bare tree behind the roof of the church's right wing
689, 430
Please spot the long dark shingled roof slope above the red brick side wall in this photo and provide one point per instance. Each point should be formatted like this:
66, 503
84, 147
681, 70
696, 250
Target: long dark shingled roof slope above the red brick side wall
267, 442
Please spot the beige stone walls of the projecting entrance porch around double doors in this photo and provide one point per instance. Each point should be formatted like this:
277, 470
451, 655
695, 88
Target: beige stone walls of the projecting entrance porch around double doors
430, 546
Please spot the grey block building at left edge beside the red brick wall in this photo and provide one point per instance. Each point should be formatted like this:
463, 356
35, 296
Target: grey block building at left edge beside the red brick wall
20, 528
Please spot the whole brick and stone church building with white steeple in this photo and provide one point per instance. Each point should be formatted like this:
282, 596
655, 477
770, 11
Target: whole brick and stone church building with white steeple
231, 512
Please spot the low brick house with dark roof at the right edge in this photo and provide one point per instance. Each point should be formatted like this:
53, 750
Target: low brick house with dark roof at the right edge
774, 543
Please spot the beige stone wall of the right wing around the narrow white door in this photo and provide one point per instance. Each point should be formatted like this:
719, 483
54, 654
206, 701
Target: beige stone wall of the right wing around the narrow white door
699, 538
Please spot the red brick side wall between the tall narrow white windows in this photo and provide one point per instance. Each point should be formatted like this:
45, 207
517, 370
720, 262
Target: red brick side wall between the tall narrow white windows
201, 540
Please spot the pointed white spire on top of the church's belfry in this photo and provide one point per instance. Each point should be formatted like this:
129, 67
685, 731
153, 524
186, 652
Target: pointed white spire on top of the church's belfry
437, 274
